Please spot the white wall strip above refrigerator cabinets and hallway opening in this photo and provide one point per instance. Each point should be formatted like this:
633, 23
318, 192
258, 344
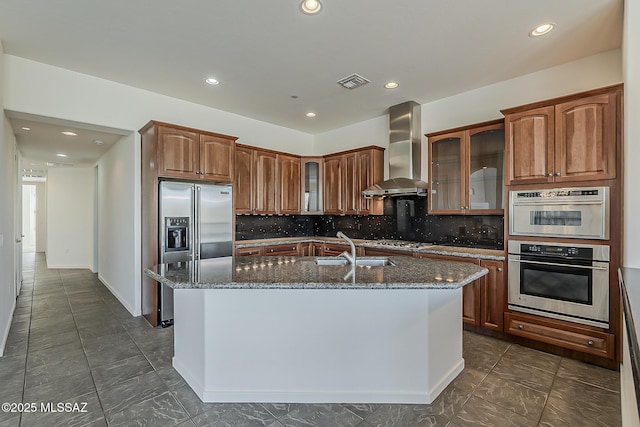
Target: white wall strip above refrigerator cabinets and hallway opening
36, 88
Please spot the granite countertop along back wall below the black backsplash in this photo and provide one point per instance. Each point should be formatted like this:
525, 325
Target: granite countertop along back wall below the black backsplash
426, 248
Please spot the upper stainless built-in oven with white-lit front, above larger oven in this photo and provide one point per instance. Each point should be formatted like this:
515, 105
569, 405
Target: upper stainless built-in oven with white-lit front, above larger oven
562, 212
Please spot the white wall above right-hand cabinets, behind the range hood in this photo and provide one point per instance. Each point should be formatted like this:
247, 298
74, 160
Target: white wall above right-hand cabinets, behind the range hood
484, 103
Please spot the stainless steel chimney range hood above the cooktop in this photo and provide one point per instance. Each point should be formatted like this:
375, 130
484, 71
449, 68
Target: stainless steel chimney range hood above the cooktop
404, 154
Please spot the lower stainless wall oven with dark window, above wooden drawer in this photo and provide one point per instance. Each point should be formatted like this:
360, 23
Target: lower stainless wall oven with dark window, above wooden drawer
562, 281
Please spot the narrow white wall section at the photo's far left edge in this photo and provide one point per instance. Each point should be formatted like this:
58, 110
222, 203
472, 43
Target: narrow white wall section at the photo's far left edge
7, 226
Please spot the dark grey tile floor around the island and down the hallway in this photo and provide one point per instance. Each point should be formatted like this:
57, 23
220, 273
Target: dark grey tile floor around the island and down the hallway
72, 341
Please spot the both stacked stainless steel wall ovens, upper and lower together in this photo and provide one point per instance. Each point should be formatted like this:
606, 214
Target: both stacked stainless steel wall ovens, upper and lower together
553, 278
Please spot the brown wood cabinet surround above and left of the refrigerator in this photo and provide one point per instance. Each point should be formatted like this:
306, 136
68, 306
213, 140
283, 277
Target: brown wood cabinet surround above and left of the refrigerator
170, 151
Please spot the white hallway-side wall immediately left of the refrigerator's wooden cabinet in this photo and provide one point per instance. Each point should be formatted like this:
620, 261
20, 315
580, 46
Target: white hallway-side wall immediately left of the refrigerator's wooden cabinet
118, 251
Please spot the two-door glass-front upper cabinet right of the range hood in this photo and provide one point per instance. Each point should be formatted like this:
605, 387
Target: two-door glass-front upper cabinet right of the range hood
466, 170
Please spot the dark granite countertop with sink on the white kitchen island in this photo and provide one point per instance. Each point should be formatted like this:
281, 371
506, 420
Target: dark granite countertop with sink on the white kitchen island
303, 273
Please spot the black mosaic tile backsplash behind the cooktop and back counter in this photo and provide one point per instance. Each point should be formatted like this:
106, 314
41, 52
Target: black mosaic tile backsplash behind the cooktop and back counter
405, 218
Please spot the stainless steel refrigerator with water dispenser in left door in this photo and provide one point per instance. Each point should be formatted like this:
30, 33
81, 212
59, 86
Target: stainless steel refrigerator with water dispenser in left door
196, 222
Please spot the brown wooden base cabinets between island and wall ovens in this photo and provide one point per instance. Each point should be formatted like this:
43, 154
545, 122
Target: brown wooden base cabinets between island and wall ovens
483, 301
